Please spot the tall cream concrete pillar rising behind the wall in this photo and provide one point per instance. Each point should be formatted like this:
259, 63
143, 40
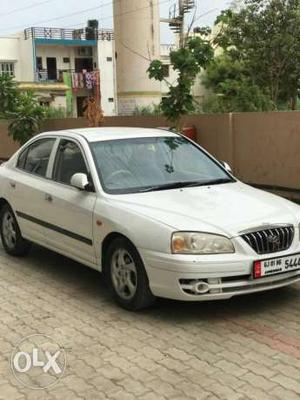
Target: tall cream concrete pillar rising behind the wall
137, 41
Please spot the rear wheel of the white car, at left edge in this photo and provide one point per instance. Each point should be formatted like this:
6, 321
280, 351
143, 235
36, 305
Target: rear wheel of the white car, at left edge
12, 240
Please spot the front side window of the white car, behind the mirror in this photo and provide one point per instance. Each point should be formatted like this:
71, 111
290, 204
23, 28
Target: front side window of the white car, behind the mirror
69, 161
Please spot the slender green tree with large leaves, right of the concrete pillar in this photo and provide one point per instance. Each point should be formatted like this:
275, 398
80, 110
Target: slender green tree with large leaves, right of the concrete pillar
187, 61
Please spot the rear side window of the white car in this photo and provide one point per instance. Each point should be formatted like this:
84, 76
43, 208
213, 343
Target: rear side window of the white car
35, 158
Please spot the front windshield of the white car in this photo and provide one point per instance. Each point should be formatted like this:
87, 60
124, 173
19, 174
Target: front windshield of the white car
155, 163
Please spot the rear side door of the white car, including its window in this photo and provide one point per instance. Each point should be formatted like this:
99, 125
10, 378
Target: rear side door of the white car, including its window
26, 187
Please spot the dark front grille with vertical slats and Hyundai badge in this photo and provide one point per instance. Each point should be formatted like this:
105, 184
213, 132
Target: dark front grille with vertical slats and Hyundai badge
270, 240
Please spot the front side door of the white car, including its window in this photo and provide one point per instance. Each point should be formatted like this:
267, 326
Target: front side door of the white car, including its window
69, 211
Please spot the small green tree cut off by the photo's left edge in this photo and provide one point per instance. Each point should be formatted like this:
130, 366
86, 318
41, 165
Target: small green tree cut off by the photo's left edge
8, 94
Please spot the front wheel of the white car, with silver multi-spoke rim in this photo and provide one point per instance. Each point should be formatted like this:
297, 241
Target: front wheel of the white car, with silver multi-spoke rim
126, 276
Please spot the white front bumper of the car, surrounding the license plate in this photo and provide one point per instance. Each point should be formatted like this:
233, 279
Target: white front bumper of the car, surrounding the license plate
219, 276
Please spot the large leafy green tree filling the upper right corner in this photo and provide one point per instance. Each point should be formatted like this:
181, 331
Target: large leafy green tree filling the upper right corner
264, 35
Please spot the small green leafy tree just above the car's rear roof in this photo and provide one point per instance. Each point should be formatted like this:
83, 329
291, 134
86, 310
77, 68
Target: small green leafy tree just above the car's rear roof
27, 117
